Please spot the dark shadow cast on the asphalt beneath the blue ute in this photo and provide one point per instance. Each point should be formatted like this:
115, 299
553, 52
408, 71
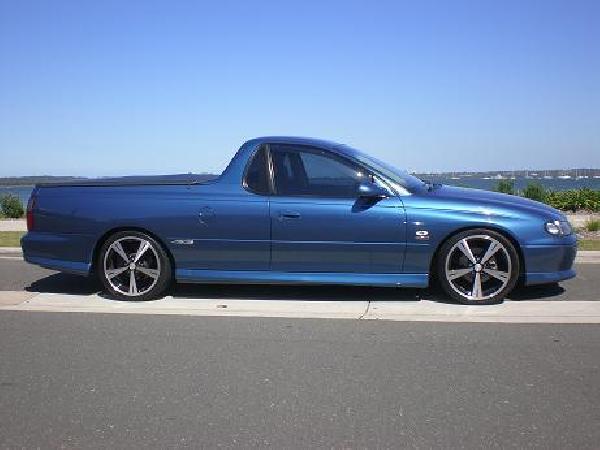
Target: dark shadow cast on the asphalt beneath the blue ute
61, 283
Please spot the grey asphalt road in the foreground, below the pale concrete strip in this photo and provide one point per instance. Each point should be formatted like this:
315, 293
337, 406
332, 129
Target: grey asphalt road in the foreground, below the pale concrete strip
91, 380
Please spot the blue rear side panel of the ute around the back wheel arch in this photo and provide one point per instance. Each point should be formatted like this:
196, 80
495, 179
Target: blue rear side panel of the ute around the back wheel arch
204, 228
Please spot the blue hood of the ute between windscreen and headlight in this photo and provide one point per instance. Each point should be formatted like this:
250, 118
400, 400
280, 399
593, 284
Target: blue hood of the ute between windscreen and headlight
461, 197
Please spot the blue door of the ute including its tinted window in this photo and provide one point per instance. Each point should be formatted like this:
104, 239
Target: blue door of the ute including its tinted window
320, 224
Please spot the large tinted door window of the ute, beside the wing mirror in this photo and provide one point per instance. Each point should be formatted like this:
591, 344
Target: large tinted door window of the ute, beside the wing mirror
312, 172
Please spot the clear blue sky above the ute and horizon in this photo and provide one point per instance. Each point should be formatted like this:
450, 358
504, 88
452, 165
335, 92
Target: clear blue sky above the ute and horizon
132, 87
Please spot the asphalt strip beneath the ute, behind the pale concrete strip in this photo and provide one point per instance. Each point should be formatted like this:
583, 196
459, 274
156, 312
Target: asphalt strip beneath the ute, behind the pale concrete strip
16, 275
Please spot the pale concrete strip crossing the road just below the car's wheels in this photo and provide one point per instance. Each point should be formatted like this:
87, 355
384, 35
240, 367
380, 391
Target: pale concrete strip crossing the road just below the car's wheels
422, 311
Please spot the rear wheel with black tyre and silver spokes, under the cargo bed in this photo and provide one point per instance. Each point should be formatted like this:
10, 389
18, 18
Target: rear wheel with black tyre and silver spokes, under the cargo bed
151, 273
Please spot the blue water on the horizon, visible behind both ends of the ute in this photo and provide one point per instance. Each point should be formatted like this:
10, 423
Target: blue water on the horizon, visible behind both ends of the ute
23, 192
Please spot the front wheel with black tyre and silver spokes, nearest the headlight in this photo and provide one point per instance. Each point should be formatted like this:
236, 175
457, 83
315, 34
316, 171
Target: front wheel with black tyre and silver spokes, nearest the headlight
499, 272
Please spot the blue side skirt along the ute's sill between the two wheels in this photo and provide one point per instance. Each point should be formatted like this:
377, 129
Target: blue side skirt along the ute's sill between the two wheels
420, 280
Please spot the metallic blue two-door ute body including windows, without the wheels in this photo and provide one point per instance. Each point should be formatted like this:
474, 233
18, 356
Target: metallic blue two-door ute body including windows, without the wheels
248, 227
